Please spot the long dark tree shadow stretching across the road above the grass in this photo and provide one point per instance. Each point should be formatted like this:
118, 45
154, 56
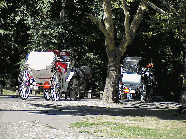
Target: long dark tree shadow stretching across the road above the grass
164, 113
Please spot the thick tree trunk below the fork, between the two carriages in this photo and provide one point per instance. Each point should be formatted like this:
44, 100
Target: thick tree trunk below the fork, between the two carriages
110, 93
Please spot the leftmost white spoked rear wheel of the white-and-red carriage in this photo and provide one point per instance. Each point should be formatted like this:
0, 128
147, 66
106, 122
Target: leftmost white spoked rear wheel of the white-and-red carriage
24, 92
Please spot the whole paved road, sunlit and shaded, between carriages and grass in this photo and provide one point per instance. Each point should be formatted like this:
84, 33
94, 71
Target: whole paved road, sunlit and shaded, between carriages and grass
37, 118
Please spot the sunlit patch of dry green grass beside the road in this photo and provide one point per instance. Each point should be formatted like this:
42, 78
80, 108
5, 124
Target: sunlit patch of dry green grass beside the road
131, 127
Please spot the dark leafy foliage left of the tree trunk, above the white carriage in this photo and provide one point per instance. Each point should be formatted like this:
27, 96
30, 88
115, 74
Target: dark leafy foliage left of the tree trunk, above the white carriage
40, 25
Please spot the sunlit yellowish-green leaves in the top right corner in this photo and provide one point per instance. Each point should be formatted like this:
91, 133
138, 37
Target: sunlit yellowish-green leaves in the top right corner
172, 19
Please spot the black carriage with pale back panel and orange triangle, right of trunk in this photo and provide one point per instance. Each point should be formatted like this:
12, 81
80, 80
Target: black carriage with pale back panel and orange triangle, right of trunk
137, 78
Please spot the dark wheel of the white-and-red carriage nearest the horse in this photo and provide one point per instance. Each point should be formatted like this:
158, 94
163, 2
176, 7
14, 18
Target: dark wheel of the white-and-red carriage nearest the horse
74, 89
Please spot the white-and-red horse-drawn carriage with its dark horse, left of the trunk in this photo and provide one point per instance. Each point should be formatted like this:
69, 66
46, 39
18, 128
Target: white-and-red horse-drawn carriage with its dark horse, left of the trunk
54, 72
